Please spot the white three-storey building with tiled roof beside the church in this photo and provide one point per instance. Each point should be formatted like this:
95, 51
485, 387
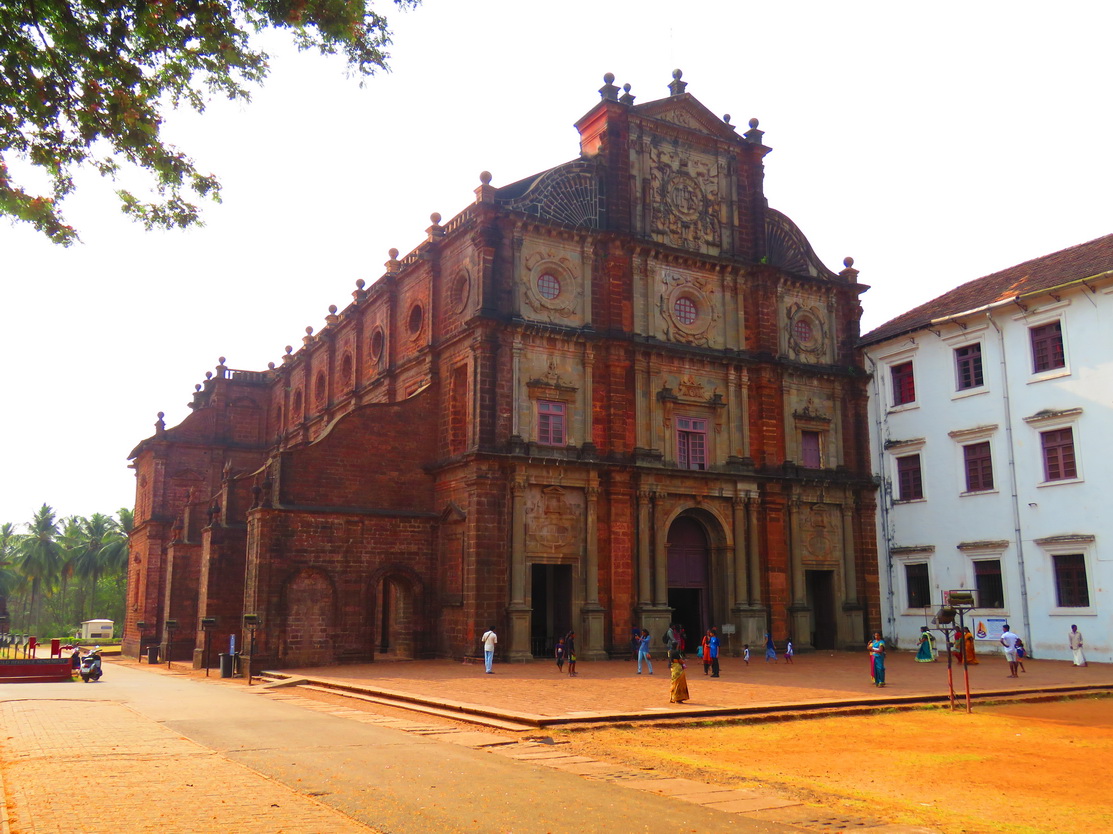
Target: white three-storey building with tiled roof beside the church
992, 433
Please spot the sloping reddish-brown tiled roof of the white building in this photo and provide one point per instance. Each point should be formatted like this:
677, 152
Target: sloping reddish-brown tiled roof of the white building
1042, 273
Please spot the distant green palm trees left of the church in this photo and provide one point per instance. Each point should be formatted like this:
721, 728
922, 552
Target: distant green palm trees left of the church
60, 574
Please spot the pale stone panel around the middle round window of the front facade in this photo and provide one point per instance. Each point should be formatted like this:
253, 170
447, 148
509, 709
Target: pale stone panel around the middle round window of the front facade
690, 307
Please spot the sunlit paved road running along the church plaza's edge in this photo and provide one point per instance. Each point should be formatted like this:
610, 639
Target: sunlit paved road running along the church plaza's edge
166, 753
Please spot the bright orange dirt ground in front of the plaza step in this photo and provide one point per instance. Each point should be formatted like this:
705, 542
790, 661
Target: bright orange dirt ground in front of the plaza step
1014, 769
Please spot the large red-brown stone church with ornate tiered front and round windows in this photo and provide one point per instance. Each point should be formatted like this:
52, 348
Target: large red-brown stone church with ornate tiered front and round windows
620, 394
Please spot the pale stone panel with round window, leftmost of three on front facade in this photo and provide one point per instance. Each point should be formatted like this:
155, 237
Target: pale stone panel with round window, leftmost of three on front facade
553, 284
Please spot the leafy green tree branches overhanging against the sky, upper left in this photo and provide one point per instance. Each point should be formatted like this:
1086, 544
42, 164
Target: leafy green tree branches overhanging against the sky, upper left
85, 84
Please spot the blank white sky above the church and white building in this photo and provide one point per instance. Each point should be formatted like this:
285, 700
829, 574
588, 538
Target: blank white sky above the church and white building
934, 143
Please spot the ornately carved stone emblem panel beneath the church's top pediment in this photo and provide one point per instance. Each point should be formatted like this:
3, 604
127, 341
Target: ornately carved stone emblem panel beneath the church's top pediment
685, 189
